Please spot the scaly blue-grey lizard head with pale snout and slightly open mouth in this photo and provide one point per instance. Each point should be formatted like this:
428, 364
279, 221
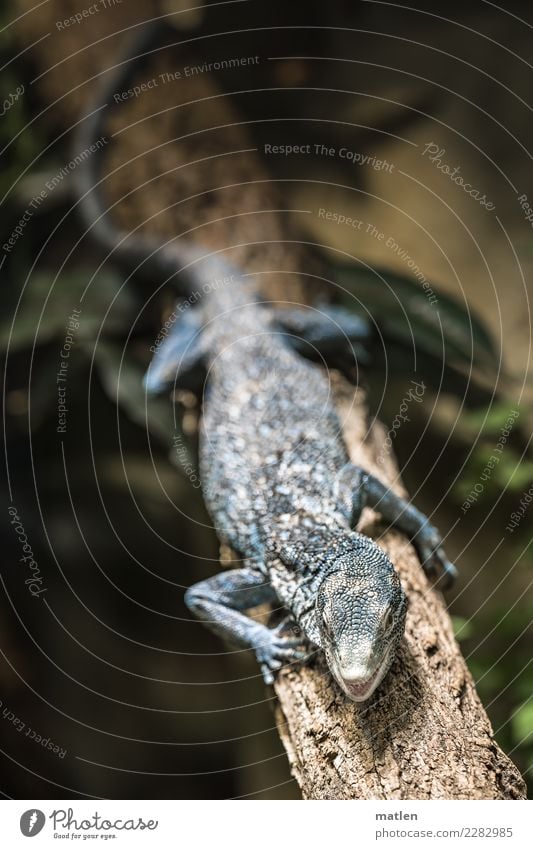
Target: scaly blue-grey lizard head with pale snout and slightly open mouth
360, 615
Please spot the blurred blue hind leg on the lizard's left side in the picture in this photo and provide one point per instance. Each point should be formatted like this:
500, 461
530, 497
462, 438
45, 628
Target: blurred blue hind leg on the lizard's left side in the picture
179, 355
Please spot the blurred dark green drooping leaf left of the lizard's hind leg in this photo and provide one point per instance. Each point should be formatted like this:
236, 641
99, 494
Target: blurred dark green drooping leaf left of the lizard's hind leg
108, 311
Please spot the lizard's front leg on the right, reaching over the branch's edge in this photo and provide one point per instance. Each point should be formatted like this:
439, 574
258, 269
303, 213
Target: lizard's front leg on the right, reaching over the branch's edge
357, 488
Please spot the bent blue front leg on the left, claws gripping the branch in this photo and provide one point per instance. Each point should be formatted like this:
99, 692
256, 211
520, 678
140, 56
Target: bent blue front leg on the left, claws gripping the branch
219, 600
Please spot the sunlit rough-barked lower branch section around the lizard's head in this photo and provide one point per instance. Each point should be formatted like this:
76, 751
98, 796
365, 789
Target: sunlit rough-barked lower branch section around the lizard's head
424, 734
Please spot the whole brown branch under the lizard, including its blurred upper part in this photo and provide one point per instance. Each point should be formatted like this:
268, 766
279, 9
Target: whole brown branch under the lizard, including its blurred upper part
425, 734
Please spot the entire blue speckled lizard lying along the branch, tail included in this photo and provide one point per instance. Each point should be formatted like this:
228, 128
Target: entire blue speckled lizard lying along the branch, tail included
275, 473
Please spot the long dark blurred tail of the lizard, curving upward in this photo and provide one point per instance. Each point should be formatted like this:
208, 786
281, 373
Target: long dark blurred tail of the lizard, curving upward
151, 258
